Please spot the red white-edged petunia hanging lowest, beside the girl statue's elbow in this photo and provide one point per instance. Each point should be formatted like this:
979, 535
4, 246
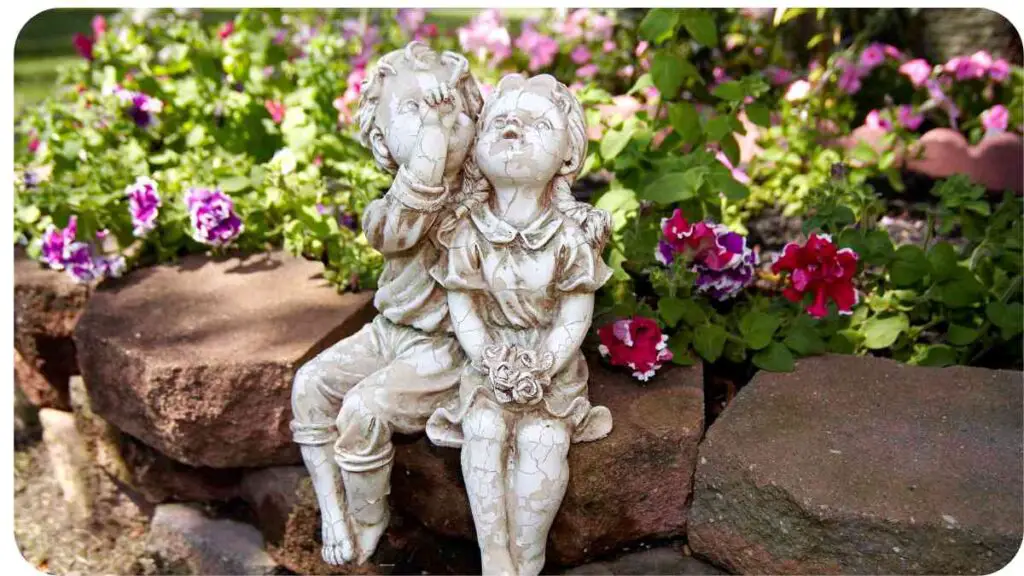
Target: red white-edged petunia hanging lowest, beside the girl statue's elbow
636, 343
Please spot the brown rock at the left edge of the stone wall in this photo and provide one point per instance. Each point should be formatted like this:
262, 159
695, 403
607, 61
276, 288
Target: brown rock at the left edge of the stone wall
48, 306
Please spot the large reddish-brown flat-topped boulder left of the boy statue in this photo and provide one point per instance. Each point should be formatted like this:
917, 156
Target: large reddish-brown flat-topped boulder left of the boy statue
196, 359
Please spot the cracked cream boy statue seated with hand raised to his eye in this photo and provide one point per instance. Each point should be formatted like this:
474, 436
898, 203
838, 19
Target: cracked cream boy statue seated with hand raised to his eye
417, 114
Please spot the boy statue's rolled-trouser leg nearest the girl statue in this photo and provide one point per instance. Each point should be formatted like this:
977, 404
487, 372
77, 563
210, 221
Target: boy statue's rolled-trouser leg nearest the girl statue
401, 397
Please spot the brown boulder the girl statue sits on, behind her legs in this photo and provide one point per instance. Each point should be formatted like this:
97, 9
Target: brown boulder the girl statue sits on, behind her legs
631, 486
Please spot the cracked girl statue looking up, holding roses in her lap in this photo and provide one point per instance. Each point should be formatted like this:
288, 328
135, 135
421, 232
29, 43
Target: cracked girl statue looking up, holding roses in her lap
521, 266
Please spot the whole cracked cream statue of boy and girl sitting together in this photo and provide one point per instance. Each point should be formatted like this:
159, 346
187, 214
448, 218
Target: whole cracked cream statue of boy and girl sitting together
487, 295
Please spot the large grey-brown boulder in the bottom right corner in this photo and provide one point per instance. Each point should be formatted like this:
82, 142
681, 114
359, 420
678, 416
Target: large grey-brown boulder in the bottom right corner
864, 466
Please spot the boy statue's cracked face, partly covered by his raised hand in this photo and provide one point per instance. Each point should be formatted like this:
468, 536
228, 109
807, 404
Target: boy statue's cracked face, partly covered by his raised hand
400, 115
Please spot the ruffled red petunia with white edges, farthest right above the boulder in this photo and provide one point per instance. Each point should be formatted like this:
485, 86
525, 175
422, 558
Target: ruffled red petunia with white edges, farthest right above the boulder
821, 269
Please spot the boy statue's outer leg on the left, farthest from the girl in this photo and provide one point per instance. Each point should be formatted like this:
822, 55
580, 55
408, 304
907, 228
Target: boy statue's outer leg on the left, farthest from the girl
317, 397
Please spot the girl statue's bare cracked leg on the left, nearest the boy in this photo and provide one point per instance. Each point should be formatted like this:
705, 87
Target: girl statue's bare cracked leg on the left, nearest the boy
485, 457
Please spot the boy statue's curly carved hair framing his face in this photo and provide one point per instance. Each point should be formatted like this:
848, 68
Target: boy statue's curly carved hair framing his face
418, 57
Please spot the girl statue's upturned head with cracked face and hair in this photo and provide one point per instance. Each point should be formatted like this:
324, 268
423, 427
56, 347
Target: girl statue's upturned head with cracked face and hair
532, 132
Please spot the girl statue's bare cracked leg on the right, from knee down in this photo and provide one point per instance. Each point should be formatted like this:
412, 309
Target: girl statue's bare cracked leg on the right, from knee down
539, 482
